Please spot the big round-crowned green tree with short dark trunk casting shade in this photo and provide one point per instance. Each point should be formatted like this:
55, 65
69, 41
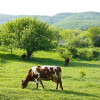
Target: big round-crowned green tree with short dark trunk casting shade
30, 34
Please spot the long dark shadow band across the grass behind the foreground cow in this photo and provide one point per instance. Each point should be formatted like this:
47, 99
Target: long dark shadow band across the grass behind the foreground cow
48, 61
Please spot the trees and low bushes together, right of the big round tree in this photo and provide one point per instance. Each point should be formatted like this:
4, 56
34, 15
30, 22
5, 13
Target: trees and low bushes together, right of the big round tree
80, 44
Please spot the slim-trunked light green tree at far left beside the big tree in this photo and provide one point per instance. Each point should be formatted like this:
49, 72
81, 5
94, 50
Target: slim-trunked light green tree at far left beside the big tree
7, 35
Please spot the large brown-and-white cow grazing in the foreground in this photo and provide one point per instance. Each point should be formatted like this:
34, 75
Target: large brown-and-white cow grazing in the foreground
44, 72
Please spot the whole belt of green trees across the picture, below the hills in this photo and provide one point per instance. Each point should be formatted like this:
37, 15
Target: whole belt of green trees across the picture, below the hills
32, 35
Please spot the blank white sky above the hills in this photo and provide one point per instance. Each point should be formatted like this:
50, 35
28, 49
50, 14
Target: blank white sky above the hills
47, 7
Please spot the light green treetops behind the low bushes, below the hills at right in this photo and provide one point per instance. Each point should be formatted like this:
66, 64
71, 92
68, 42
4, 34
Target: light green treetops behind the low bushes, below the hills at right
79, 38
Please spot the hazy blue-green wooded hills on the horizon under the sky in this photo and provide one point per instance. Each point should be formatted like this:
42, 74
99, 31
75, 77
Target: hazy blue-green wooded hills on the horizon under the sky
64, 20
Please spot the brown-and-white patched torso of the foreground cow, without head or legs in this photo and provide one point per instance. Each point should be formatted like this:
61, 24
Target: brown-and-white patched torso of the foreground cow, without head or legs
47, 72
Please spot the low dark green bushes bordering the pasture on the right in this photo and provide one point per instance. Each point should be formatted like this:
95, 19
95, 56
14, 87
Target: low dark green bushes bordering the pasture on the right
84, 54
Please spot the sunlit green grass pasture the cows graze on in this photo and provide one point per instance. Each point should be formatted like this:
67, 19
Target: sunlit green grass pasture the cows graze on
13, 69
